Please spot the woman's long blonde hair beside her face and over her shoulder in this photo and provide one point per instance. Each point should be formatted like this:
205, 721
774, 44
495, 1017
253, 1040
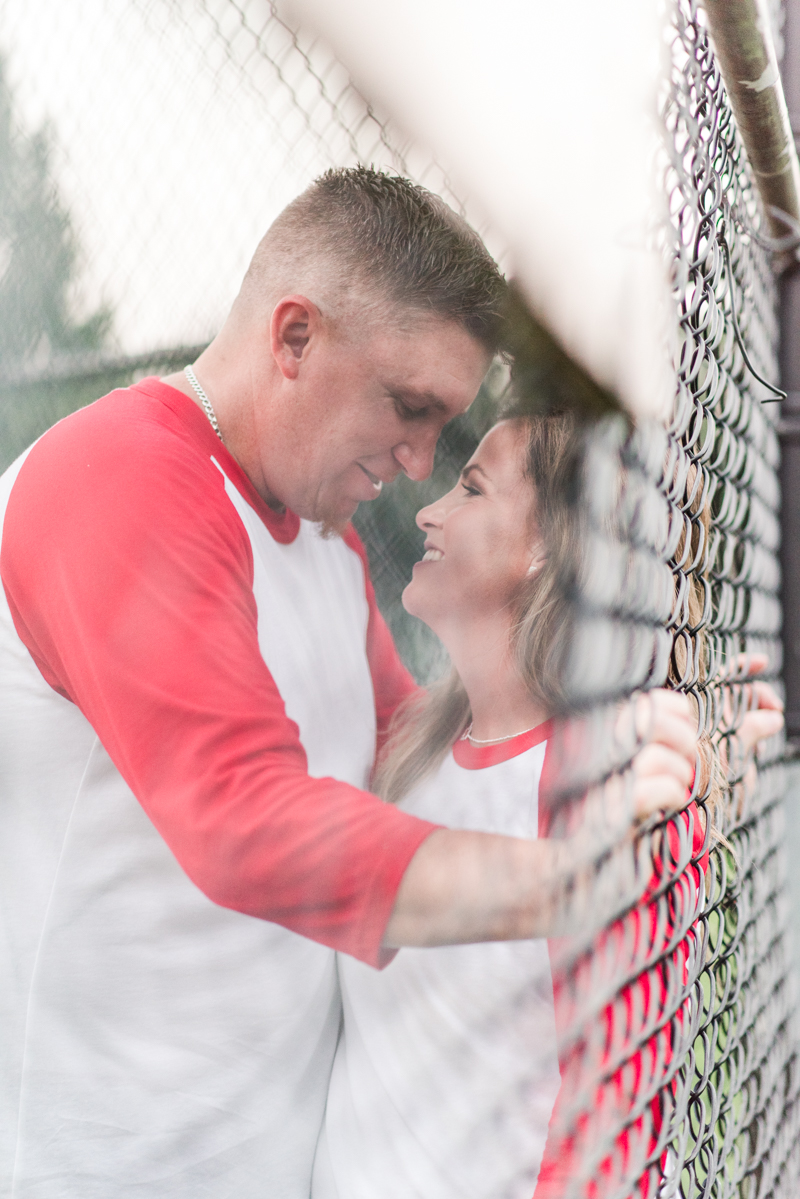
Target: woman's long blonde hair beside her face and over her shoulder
425, 728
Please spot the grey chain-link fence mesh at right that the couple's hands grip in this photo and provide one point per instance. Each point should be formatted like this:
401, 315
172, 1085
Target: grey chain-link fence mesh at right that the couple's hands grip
702, 1016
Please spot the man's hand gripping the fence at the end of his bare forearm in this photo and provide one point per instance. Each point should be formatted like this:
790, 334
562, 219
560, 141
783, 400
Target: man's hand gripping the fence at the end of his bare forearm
664, 769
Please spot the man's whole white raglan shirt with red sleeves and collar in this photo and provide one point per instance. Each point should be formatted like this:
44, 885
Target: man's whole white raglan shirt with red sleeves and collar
191, 688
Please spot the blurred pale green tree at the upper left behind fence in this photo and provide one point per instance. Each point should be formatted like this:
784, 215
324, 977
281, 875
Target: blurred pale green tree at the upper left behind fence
39, 252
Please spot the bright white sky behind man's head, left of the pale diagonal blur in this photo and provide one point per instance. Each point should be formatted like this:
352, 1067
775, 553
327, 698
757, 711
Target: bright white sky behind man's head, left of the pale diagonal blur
177, 144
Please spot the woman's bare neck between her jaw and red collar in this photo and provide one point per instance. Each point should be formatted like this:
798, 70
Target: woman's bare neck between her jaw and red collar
500, 700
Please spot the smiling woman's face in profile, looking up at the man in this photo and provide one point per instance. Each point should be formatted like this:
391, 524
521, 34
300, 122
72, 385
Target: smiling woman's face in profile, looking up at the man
480, 540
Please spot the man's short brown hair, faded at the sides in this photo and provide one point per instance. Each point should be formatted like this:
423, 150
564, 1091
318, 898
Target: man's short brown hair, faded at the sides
381, 245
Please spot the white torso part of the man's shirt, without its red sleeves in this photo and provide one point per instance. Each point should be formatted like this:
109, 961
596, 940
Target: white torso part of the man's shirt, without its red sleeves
152, 1043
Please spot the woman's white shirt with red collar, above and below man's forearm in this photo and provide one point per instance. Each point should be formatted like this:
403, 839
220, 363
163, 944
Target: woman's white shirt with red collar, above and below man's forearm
447, 1071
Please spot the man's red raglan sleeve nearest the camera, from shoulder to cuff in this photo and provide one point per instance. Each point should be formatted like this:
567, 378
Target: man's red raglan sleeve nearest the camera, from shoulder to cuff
130, 581
